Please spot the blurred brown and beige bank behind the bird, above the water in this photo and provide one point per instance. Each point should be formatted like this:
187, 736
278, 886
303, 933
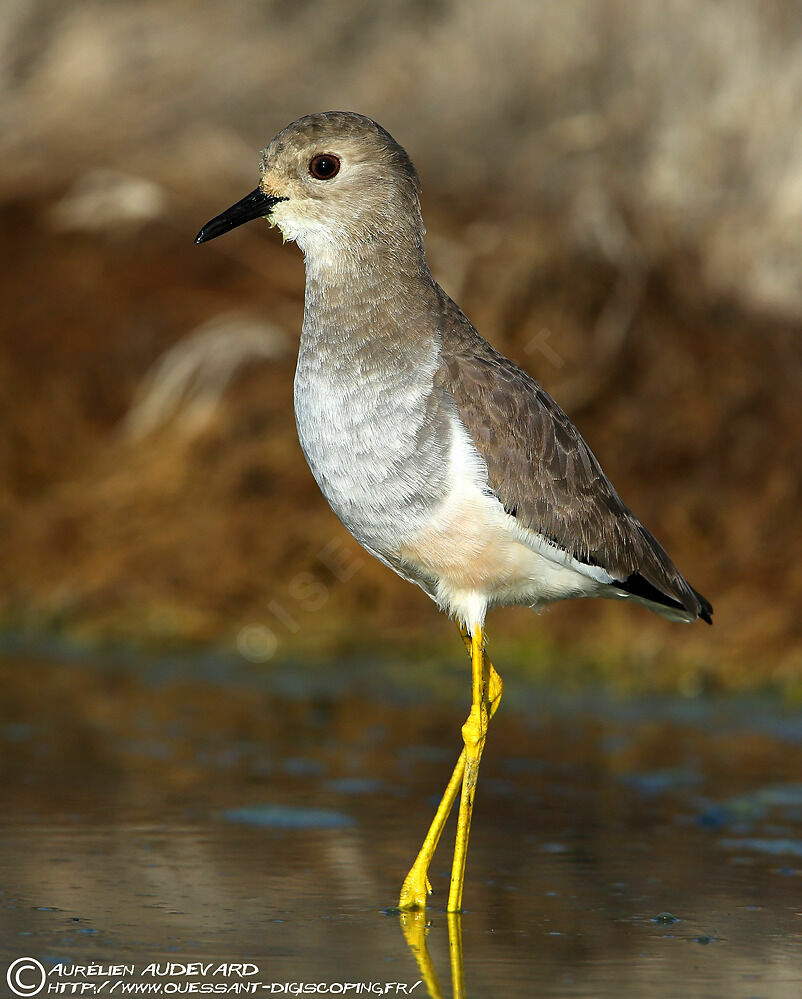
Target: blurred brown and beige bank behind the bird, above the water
613, 193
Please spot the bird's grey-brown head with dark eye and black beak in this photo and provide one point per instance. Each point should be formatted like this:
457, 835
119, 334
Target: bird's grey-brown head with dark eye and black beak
332, 179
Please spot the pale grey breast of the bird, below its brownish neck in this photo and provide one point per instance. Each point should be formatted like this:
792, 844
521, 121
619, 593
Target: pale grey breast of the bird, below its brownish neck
371, 424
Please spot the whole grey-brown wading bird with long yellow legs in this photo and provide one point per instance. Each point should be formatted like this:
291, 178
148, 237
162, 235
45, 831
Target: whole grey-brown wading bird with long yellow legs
444, 459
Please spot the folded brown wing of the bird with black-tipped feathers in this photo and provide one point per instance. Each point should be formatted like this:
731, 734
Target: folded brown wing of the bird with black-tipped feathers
546, 475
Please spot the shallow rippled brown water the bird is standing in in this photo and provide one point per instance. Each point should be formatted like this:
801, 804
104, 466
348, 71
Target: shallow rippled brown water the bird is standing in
205, 812
